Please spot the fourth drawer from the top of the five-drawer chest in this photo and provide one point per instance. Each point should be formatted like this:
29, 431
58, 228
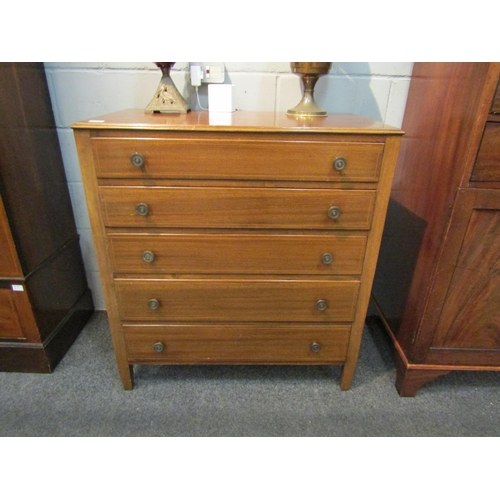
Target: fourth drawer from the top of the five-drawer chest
236, 300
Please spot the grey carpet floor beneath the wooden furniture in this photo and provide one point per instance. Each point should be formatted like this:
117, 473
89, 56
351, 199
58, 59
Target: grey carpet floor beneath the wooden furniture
84, 397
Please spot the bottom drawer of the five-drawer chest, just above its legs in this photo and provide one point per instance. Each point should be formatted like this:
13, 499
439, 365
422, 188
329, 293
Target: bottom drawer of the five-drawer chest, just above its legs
228, 343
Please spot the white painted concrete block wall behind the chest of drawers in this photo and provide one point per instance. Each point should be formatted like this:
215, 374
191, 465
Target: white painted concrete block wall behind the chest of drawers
80, 91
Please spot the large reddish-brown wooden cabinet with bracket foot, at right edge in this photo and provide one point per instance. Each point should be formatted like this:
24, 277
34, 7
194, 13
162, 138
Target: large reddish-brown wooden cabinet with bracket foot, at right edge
437, 284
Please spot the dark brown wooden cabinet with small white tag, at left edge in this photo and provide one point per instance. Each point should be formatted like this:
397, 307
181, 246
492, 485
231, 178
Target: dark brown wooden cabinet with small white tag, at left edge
44, 298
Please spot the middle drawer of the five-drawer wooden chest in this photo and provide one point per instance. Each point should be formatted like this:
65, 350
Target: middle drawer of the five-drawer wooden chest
237, 253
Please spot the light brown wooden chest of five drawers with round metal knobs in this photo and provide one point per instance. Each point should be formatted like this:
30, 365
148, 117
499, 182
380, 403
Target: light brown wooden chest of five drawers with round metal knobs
249, 242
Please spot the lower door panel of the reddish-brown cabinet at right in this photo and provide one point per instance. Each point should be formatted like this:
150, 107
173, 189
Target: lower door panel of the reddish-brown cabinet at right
470, 317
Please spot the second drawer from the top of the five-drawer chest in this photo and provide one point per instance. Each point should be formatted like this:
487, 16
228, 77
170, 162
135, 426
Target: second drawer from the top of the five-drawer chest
200, 207
